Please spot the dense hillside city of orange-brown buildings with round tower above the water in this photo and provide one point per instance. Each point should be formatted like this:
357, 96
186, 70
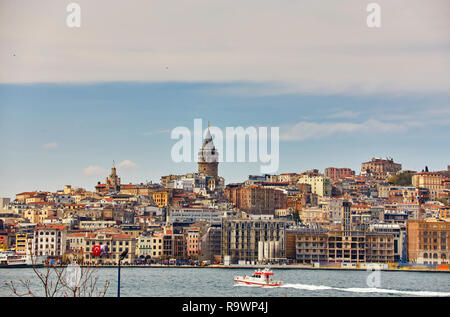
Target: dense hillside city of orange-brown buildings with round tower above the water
384, 214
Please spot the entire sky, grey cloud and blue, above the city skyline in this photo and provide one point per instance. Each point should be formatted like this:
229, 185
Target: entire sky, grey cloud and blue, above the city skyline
73, 100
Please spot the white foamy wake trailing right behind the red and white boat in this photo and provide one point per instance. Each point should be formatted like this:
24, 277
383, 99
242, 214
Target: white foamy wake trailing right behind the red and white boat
367, 290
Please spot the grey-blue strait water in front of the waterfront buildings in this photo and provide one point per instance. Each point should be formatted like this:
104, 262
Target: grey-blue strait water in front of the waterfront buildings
207, 282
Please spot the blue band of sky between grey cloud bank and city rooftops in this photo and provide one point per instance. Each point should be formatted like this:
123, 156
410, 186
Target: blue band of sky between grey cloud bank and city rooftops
50, 133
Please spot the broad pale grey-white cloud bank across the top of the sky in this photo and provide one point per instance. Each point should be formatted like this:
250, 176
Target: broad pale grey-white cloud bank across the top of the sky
300, 46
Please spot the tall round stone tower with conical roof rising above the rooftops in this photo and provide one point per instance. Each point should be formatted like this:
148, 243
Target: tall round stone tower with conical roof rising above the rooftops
208, 157
